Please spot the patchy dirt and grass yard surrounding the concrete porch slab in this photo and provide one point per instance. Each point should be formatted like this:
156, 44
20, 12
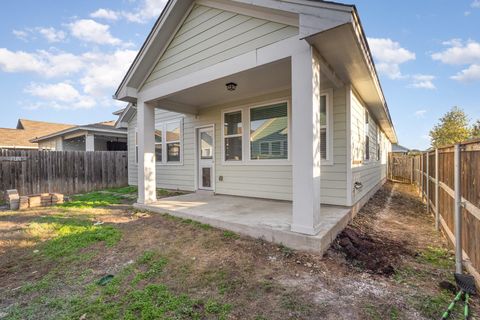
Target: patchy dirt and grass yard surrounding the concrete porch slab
388, 264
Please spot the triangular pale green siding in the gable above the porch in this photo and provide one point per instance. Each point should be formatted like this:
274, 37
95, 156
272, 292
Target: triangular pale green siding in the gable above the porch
209, 36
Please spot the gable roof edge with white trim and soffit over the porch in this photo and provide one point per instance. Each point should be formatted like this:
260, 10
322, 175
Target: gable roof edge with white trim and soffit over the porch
317, 20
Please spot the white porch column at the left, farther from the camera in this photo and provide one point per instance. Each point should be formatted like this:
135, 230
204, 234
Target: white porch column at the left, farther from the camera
146, 153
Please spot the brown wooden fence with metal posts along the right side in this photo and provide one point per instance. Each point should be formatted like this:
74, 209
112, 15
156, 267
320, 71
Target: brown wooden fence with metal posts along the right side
448, 180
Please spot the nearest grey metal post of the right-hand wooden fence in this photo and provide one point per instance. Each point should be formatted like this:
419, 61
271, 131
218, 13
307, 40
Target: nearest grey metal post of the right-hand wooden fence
458, 211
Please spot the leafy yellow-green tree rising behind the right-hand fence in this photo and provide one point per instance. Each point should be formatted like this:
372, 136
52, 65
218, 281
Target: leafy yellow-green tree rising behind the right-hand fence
452, 128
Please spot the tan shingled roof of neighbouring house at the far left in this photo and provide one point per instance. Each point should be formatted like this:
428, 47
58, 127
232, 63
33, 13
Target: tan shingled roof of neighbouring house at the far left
26, 130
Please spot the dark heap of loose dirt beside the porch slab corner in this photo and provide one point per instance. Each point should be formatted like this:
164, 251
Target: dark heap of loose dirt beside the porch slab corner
373, 255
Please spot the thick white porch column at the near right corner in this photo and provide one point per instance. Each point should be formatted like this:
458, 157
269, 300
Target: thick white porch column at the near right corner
306, 141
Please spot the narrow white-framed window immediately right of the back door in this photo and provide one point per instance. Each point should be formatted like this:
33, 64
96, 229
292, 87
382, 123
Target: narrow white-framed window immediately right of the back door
233, 136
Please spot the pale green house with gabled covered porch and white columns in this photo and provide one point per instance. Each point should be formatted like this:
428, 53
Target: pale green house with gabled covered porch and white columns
267, 99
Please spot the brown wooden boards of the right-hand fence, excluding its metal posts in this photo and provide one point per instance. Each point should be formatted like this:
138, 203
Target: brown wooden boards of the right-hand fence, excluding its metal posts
470, 190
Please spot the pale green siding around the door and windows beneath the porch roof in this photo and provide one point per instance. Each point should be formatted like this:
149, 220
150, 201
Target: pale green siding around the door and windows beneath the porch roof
263, 181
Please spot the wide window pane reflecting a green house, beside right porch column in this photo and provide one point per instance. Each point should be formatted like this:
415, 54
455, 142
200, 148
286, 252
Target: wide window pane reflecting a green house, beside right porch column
269, 125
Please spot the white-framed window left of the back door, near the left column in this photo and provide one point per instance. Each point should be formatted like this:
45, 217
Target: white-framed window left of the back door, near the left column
168, 142
